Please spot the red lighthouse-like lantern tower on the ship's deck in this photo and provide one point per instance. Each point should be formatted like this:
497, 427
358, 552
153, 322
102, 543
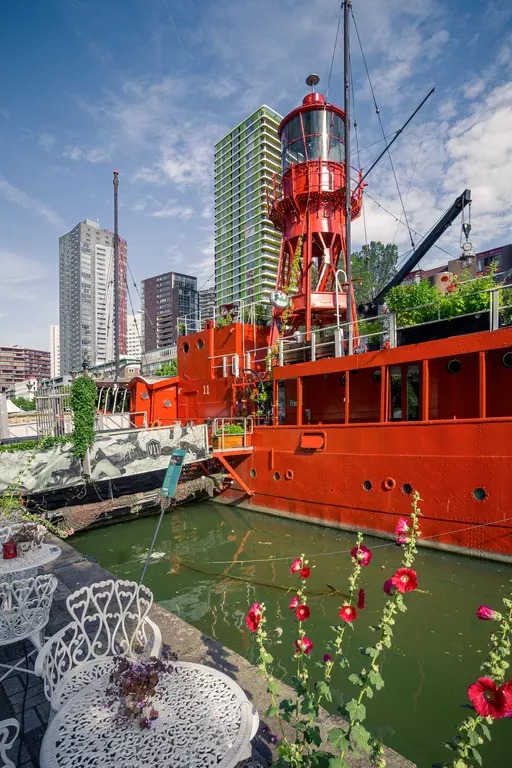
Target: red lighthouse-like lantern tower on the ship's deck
308, 207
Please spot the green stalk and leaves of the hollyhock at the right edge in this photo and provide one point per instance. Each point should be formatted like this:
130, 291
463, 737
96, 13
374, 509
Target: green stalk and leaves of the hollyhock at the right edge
471, 732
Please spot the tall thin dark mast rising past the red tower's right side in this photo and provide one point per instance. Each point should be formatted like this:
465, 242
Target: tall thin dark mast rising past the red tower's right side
348, 243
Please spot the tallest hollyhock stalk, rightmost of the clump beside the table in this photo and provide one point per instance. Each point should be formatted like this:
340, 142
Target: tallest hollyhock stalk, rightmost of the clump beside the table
371, 678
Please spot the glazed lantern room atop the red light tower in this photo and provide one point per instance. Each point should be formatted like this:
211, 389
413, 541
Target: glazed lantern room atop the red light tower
313, 135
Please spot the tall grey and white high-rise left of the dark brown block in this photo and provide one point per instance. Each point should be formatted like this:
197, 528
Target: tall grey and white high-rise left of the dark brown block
86, 296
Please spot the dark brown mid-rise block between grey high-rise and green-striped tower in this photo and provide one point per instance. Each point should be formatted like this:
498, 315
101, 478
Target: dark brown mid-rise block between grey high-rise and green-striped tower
167, 300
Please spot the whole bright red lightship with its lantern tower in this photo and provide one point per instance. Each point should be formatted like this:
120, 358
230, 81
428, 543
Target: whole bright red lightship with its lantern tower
337, 429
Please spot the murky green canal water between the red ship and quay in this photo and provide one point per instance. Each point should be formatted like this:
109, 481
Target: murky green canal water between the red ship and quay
201, 572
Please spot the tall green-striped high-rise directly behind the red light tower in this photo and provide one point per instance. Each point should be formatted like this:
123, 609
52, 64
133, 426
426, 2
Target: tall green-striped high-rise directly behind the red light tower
246, 242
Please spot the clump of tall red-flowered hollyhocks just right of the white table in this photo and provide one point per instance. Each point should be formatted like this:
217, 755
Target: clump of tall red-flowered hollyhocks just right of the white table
302, 711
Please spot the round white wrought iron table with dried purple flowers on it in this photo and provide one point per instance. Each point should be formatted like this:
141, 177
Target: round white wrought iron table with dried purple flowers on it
204, 720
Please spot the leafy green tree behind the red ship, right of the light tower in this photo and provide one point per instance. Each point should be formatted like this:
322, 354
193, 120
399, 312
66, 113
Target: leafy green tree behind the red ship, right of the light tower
374, 265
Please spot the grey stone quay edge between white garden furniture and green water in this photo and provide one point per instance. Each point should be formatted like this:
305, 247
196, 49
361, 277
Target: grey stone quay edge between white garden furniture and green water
74, 570
